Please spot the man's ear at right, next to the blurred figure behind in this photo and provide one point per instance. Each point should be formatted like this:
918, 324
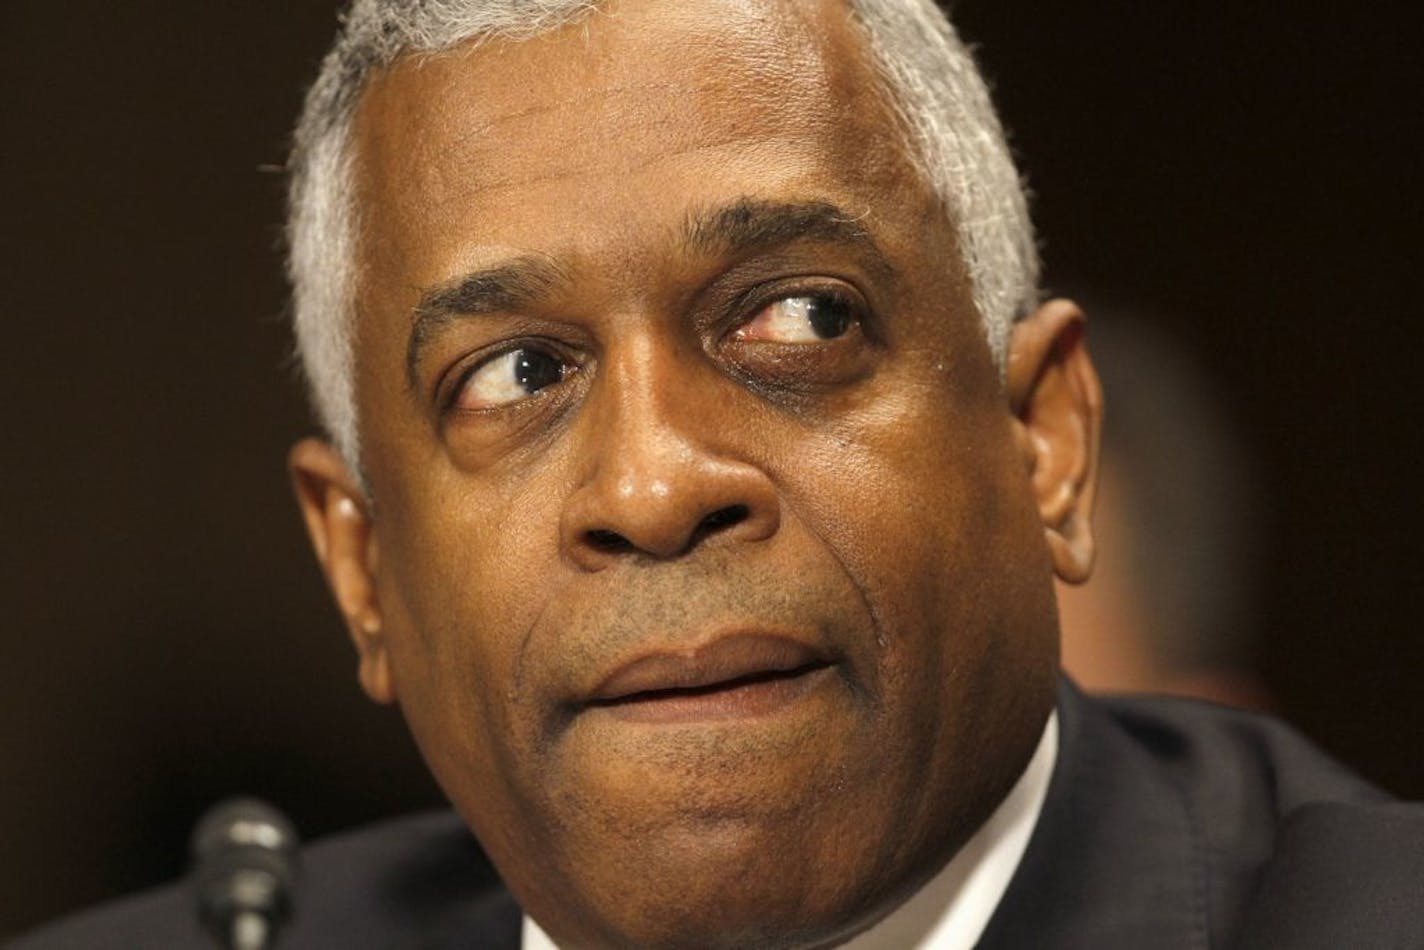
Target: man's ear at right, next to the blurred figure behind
1057, 402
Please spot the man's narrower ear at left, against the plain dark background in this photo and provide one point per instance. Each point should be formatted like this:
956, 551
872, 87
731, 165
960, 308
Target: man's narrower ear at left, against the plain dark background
340, 523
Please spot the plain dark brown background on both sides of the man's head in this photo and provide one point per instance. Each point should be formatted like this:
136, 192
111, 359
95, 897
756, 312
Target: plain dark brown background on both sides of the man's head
1245, 174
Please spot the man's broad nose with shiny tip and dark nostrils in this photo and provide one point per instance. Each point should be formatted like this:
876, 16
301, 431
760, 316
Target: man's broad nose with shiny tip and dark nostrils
663, 472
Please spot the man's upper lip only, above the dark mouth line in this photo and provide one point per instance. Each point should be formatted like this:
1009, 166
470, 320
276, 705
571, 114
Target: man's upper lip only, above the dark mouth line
721, 660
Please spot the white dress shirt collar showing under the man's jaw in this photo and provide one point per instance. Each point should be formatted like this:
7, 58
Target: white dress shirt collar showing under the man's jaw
952, 911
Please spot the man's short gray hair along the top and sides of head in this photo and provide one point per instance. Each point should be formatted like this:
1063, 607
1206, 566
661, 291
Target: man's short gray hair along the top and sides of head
935, 88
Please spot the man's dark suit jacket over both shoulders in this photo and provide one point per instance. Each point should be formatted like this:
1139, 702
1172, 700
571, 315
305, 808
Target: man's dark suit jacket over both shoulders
1168, 824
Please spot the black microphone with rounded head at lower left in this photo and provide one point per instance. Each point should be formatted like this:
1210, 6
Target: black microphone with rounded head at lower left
246, 868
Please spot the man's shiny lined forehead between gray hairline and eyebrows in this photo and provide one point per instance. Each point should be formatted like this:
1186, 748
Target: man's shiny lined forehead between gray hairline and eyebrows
634, 109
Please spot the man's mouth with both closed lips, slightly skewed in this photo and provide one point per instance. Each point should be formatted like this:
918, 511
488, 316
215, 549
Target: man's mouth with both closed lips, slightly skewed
730, 679
